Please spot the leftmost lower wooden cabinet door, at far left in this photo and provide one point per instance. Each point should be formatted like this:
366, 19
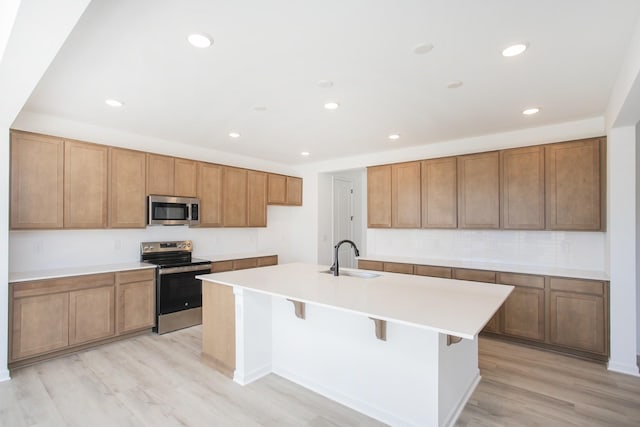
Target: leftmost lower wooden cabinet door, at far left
40, 324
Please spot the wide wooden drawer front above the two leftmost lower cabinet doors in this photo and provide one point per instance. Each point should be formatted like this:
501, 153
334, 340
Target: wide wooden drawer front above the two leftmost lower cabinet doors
63, 284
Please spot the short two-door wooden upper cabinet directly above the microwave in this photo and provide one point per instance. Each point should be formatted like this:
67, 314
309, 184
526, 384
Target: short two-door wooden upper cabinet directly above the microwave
171, 176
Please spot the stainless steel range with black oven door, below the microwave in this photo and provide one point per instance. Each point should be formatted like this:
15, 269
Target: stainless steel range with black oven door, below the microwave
178, 292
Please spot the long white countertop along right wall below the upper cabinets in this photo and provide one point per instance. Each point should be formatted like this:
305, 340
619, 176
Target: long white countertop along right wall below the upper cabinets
510, 268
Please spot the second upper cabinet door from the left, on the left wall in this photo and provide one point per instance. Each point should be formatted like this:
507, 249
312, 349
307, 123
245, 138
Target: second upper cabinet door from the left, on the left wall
85, 185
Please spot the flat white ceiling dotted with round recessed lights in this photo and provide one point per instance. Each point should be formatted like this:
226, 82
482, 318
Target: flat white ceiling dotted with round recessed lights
273, 53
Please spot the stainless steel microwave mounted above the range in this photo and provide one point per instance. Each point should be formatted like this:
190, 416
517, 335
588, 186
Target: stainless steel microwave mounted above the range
169, 210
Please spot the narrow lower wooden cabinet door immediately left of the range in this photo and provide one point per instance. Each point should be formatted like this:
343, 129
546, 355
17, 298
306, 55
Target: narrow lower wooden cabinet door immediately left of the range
136, 306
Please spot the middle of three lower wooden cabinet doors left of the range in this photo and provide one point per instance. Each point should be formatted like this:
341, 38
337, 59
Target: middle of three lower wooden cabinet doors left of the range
91, 314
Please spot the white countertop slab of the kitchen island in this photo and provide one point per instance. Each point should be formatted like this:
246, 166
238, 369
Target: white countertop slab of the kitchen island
454, 307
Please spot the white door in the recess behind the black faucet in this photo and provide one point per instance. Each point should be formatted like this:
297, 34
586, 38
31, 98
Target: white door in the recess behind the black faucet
343, 219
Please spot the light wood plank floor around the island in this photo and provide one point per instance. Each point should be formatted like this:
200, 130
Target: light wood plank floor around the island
160, 381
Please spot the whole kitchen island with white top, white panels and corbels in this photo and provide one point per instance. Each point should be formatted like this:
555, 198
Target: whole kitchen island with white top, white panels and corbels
402, 349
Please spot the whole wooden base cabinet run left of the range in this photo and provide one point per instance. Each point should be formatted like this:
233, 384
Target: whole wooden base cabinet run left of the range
56, 316
